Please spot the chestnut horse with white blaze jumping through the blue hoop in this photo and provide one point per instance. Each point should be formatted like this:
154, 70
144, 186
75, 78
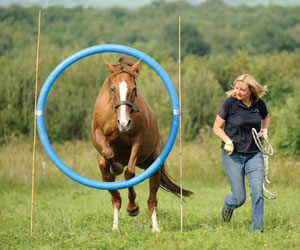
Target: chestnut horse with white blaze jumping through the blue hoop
125, 132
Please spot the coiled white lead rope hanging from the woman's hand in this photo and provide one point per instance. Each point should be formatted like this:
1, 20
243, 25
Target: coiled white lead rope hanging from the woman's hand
263, 143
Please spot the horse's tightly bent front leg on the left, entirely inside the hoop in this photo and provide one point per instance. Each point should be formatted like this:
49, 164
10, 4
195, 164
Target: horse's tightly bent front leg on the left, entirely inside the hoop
107, 152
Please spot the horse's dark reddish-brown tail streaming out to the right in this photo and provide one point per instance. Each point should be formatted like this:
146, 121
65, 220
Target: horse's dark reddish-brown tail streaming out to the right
167, 184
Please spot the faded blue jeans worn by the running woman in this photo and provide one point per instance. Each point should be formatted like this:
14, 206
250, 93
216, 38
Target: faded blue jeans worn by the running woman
236, 166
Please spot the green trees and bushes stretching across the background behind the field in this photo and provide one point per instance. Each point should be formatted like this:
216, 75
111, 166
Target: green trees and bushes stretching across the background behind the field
219, 42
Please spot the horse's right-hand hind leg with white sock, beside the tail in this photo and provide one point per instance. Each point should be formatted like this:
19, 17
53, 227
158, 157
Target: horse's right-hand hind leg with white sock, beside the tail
154, 182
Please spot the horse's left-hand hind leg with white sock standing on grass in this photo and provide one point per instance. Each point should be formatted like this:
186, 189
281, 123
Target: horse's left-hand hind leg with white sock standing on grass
115, 195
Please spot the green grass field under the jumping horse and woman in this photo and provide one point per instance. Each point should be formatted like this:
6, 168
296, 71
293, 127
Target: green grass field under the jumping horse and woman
68, 215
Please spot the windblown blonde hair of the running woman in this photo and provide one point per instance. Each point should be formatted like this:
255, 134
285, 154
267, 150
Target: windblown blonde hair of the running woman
257, 91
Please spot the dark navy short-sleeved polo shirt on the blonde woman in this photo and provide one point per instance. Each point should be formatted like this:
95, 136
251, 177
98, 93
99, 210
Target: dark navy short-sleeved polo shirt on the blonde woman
239, 120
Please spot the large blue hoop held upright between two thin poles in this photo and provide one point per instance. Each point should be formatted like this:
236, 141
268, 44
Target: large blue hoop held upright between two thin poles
41, 121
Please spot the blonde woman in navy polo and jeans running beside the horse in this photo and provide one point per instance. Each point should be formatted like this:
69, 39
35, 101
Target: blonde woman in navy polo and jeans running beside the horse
239, 113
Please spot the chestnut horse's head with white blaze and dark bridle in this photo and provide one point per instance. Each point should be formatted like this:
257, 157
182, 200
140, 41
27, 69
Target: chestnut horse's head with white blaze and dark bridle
123, 90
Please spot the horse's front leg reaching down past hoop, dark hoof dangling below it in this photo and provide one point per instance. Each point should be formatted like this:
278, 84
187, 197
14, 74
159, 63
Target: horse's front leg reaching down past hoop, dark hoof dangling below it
133, 207
